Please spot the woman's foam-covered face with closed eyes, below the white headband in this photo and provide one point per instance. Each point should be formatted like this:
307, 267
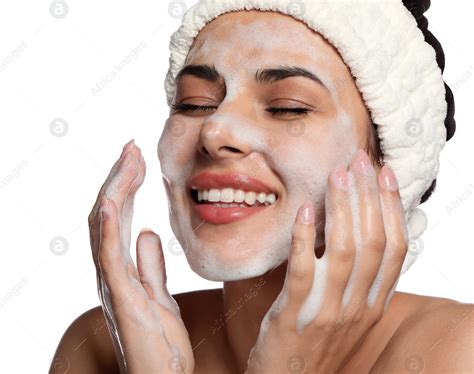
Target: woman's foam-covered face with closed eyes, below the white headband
292, 153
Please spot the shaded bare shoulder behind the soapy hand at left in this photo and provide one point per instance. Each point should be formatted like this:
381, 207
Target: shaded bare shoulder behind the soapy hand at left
86, 346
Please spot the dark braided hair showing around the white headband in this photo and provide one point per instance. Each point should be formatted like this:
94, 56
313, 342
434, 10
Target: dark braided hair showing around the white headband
417, 8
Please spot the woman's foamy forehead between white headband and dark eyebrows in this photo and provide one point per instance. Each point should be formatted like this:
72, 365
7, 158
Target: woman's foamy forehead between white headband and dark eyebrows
249, 40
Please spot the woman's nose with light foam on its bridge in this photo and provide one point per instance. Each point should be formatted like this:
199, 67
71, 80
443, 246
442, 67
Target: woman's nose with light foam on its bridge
218, 138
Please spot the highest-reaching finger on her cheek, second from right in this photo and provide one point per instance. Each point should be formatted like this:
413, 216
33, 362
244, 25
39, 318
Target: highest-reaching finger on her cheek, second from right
369, 231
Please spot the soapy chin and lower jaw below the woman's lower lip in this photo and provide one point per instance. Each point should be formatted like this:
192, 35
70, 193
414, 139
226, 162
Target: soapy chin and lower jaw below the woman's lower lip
244, 249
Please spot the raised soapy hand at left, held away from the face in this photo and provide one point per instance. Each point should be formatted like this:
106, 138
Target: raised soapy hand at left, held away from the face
144, 320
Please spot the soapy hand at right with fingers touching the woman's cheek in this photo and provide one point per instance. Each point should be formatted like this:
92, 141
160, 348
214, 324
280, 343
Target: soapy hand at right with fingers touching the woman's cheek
316, 327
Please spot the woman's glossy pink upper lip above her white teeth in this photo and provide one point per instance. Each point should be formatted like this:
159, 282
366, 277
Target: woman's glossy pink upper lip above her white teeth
208, 180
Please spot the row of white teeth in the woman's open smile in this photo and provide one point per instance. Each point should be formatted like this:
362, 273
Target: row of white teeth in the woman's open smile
230, 195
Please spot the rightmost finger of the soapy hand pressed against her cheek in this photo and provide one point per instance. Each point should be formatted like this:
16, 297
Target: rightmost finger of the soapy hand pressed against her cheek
397, 239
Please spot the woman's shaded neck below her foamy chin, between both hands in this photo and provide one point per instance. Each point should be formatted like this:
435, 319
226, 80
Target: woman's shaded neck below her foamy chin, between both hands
246, 302
